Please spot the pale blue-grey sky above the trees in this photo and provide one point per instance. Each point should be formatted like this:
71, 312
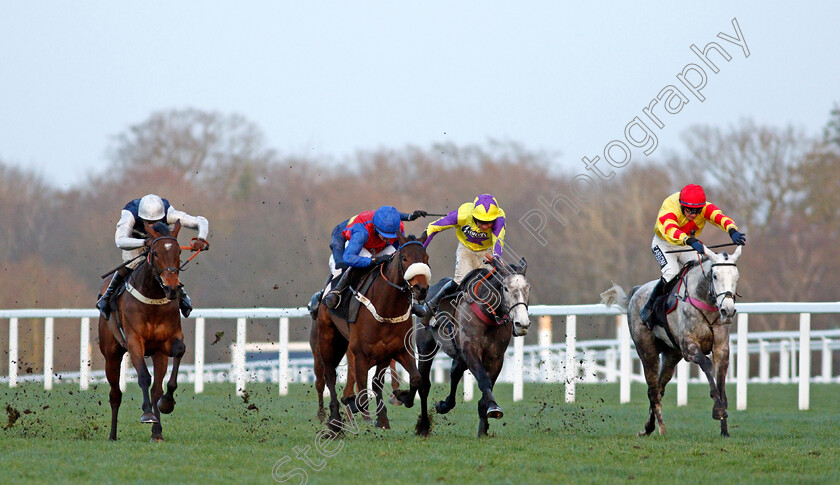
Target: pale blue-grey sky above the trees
329, 78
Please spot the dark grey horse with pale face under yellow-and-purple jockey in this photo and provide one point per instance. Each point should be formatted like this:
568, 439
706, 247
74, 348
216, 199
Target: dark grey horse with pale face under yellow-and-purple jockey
474, 335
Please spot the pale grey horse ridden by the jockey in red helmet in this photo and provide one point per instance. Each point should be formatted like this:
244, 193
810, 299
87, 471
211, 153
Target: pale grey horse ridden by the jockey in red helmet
699, 325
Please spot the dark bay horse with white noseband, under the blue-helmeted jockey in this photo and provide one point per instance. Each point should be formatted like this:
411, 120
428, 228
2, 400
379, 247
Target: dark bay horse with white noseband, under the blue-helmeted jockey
378, 335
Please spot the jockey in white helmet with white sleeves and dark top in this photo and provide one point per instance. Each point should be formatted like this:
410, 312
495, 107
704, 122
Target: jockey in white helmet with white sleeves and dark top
131, 237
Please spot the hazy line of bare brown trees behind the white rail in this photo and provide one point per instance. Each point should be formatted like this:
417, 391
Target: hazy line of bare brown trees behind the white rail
271, 214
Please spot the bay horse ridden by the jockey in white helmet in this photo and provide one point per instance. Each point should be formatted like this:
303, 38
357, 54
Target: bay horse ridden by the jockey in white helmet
151, 325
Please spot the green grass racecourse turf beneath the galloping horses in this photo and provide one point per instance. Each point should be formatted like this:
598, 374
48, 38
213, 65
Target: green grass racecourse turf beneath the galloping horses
217, 437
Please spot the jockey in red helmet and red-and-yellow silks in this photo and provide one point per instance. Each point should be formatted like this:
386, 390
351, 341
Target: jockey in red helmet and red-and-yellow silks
681, 218
